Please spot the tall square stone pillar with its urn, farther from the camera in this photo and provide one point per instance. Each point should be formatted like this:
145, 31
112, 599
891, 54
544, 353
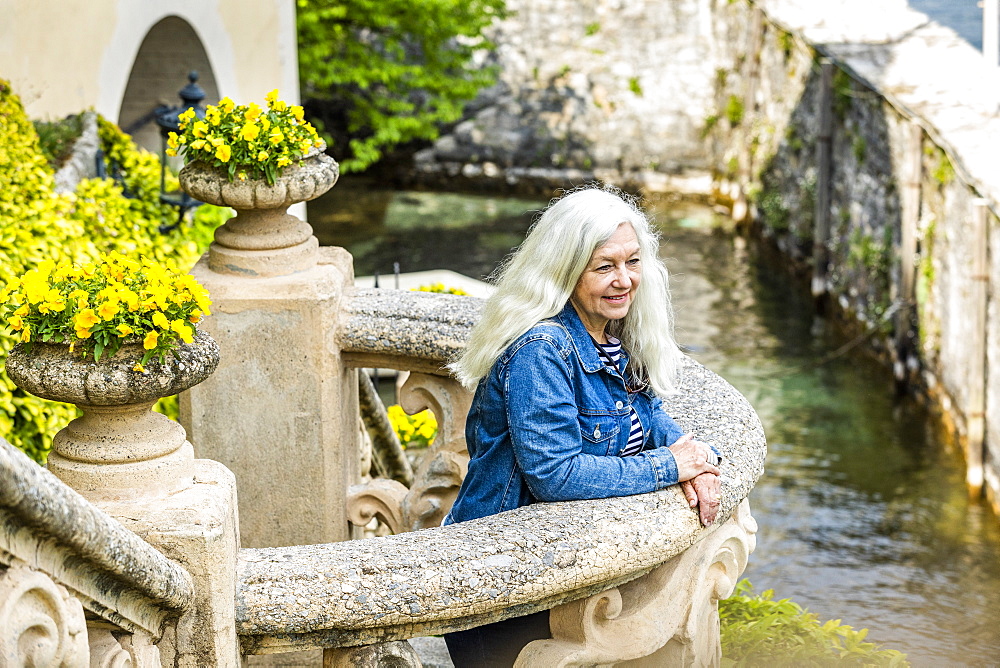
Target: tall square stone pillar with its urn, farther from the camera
281, 411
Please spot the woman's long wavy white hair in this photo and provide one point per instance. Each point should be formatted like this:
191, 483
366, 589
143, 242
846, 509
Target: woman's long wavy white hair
537, 279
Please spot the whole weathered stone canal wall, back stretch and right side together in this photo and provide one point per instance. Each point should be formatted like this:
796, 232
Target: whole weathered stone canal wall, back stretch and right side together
724, 98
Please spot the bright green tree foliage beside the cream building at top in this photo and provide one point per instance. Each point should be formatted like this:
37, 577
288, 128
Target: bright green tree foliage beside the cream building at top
393, 71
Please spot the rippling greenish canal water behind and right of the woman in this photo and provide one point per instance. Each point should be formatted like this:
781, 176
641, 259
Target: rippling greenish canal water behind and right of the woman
862, 509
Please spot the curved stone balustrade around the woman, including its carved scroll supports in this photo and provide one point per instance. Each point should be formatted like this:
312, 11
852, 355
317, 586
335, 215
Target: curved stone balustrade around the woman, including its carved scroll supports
626, 577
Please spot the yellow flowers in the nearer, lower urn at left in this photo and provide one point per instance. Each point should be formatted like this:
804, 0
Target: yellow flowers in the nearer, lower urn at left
98, 306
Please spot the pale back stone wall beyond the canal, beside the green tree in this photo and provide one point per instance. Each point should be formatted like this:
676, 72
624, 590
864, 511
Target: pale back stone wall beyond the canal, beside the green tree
611, 89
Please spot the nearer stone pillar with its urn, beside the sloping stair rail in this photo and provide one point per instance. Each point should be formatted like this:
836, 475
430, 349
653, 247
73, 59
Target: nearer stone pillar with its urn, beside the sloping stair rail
138, 467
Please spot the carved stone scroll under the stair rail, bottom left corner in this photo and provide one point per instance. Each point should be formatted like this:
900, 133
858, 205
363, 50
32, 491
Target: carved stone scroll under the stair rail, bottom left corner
41, 624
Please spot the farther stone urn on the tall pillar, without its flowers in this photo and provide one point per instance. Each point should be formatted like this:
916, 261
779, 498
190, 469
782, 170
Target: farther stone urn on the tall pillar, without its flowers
263, 240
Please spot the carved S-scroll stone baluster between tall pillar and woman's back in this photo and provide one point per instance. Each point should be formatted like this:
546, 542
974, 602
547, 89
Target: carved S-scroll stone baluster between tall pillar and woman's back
439, 474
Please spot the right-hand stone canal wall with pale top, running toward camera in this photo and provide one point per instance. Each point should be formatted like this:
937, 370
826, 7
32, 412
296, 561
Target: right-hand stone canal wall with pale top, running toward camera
912, 189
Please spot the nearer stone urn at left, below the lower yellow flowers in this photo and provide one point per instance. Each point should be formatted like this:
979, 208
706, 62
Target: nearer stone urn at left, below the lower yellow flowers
119, 448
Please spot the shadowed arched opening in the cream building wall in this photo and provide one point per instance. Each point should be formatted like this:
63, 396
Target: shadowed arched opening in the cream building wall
170, 50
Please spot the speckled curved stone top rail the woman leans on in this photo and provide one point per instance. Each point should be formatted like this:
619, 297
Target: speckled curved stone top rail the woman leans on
533, 558
